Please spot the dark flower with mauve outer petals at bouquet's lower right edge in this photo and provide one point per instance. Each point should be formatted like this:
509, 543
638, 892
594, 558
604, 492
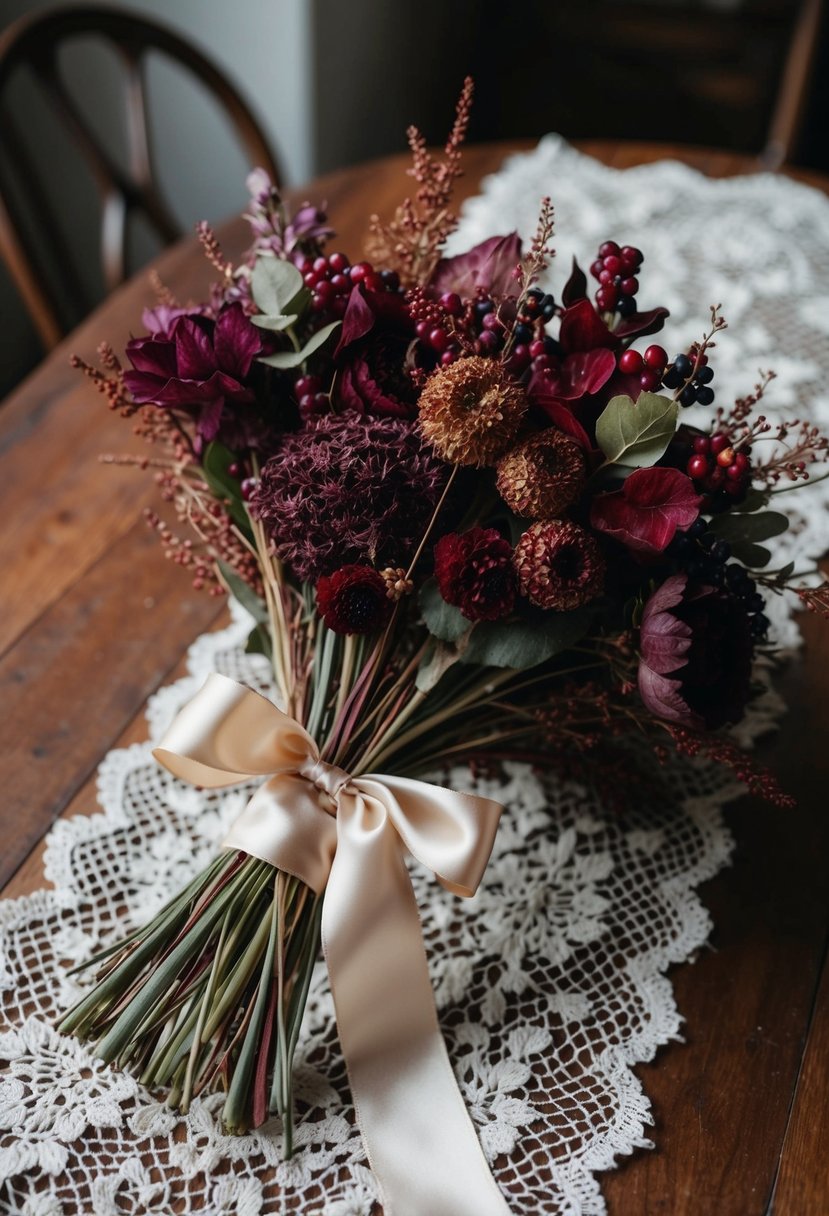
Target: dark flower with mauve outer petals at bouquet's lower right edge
695, 655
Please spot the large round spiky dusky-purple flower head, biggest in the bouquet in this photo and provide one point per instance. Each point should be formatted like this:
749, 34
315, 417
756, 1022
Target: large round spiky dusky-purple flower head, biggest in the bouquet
348, 489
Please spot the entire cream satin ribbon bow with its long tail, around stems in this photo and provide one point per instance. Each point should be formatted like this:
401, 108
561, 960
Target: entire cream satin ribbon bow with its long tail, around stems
348, 836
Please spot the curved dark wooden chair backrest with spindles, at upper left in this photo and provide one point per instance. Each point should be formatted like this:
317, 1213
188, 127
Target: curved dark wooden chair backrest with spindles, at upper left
31, 239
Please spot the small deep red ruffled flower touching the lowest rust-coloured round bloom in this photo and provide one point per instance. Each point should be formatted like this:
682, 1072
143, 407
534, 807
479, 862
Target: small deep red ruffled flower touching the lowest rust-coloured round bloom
475, 572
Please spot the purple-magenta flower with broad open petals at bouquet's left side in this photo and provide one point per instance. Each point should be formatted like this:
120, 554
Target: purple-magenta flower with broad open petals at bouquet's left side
196, 364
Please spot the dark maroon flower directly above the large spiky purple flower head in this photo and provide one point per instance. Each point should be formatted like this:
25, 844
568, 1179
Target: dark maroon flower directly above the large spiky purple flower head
371, 356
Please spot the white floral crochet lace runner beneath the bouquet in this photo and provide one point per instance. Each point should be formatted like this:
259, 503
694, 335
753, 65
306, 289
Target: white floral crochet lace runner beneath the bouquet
551, 983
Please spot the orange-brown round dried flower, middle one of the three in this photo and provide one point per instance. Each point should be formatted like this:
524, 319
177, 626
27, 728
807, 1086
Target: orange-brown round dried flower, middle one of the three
543, 476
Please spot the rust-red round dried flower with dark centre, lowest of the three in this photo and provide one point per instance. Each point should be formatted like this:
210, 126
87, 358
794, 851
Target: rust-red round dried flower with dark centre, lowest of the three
560, 566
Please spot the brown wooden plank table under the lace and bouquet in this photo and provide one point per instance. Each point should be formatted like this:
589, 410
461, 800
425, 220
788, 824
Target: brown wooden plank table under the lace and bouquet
94, 620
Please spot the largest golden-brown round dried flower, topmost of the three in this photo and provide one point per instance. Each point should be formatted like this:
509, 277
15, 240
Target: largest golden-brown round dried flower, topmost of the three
471, 412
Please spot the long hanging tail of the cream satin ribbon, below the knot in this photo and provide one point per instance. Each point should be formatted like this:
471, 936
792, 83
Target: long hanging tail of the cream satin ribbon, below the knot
419, 1135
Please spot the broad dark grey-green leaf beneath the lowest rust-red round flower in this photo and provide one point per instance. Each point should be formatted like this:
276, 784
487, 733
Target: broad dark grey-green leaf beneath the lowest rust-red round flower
523, 644
